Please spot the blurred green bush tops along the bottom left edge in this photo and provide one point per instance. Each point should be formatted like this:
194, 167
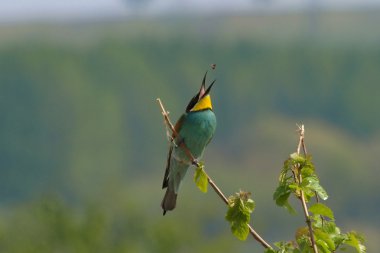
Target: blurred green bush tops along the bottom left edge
51, 225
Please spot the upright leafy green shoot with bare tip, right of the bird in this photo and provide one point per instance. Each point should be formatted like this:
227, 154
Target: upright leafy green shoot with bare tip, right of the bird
298, 178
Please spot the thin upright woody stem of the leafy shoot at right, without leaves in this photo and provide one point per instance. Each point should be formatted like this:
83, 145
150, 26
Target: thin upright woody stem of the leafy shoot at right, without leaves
301, 143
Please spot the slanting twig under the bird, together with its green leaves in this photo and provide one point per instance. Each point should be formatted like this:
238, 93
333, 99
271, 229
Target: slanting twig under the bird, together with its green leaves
239, 205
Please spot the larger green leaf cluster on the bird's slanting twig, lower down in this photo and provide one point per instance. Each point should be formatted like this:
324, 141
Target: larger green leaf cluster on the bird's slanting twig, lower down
240, 206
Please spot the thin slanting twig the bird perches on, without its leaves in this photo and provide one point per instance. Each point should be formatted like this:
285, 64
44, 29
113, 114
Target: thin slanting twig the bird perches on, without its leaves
255, 235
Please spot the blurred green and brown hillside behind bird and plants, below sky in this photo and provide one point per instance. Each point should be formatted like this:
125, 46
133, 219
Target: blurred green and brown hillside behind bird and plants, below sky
83, 145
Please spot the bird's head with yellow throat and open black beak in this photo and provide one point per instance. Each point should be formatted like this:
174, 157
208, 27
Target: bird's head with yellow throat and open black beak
202, 100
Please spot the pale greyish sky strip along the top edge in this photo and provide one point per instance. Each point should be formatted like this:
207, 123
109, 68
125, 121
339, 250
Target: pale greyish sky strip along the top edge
24, 10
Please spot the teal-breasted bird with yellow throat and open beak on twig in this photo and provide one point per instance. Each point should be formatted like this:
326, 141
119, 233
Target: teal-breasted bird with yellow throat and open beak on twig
195, 129
